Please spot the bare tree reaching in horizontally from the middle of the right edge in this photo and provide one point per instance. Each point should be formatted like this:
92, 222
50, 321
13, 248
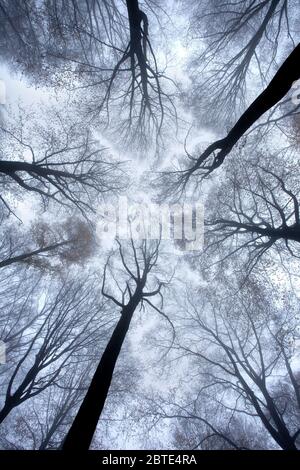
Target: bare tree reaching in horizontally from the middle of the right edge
260, 211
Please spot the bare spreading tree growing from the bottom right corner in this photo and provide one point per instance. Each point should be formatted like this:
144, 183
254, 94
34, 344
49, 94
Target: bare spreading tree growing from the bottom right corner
248, 351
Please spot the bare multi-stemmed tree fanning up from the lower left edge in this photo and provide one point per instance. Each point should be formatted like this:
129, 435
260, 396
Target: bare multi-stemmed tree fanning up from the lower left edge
66, 324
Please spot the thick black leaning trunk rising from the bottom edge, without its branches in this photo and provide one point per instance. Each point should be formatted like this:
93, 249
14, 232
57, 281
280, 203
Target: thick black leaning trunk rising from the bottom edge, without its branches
82, 430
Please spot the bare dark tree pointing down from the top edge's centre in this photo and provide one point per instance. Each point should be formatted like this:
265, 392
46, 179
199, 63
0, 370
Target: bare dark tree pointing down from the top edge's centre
133, 80
